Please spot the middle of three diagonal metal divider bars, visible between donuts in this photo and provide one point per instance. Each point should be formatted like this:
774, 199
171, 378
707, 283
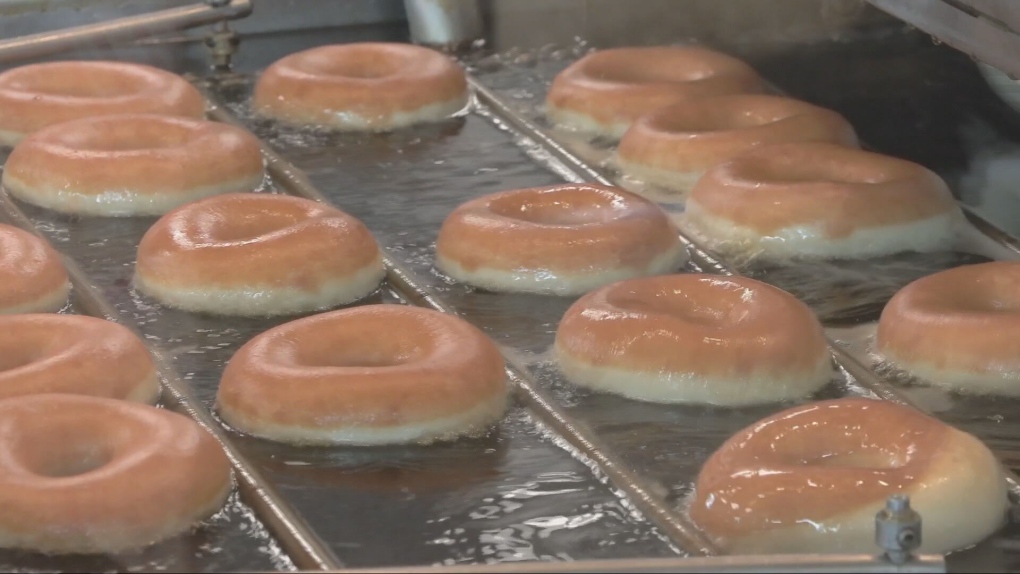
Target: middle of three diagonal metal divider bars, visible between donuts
676, 527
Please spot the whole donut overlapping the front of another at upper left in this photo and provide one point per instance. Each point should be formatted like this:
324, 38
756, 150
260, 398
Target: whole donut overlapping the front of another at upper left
138, 165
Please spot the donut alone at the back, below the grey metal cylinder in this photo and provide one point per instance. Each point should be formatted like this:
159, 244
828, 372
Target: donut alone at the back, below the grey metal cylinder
372, 87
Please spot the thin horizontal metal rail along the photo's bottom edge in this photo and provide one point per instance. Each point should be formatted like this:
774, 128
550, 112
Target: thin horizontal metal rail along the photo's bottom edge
751, 564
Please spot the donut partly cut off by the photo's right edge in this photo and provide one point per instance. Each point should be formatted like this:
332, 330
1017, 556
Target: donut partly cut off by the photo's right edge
958, 329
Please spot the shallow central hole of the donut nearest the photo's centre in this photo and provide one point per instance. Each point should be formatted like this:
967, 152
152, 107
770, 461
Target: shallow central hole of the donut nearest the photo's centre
560, 207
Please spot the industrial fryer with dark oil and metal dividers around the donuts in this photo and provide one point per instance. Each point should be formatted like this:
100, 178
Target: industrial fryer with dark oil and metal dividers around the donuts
570, 481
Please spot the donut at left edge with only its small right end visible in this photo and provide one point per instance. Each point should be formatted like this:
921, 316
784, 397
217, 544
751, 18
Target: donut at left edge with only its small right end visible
33, 279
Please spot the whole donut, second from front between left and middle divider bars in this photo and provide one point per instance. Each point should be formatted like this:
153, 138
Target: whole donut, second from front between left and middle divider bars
258, 255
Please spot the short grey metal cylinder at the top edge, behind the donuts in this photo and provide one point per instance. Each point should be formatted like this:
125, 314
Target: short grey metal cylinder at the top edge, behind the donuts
444, 23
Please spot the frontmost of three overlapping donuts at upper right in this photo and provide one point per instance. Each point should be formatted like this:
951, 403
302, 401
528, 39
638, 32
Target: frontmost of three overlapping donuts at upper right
822, 200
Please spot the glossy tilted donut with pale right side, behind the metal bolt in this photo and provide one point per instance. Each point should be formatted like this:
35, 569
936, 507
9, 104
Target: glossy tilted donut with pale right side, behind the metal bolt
812, 479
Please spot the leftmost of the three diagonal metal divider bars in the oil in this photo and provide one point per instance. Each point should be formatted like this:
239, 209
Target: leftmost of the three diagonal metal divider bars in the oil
303, 546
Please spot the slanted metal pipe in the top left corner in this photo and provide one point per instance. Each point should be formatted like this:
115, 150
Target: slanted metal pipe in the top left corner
130, 28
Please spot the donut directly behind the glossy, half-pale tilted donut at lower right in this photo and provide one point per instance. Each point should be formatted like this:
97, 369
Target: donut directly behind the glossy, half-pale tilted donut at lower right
694, 339
